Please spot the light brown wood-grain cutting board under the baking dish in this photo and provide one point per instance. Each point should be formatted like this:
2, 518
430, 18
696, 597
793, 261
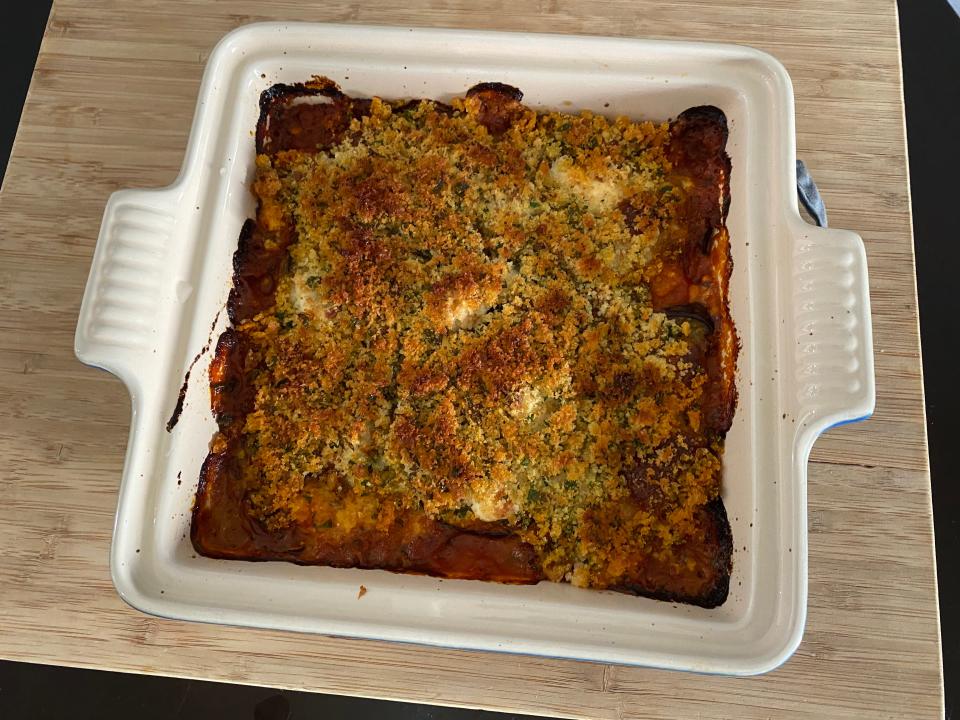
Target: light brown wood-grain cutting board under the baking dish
110, 107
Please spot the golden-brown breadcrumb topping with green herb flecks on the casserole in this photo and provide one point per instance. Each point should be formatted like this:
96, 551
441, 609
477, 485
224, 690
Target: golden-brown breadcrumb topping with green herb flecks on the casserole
464, 326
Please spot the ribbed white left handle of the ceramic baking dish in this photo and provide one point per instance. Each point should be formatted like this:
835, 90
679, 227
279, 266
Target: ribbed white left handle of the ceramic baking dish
121, 323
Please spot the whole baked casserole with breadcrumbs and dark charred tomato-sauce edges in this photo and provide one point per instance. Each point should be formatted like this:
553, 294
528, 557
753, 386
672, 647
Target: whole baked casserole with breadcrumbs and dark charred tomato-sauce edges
478, 341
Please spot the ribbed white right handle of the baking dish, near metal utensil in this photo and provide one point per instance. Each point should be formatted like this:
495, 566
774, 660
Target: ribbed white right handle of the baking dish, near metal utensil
834, 338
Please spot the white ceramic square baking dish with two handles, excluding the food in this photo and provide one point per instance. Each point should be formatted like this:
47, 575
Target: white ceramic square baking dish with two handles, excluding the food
161, 274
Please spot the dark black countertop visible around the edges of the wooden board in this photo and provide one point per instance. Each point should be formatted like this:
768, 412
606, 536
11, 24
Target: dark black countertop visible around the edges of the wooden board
930, 39
